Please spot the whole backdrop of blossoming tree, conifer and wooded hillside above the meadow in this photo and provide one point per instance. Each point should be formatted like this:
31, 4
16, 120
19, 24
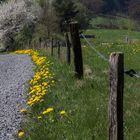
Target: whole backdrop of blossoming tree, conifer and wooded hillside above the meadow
41, 19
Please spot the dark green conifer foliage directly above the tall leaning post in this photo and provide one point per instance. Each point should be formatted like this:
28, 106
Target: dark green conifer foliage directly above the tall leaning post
71, 10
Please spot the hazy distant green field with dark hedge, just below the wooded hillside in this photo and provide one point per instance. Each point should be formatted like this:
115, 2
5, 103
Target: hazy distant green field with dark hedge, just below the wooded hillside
114, 22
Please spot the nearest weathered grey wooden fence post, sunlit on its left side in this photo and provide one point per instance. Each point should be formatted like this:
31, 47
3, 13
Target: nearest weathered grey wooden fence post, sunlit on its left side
116, 96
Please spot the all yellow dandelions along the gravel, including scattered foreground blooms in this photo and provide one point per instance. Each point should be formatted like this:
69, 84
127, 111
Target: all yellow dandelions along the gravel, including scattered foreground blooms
39, 86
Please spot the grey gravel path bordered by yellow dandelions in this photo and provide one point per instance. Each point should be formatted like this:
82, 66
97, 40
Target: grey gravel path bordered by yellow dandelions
15, 72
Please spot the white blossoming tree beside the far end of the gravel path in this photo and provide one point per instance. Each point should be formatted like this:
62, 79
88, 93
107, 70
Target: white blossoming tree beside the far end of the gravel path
14, 14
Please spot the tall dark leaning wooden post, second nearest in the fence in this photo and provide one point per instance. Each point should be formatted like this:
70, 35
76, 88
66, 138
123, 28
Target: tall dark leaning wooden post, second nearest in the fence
78, 60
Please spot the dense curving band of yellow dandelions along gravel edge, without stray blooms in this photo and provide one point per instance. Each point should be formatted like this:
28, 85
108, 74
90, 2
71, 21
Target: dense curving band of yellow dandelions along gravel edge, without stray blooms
42, 80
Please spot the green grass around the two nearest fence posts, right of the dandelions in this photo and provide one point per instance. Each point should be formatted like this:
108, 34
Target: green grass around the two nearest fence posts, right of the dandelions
86, 100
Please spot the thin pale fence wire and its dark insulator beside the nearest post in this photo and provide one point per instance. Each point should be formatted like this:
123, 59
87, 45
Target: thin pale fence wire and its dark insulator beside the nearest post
131, 72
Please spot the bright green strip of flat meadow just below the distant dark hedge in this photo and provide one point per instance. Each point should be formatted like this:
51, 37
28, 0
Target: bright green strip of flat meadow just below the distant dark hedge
114, 36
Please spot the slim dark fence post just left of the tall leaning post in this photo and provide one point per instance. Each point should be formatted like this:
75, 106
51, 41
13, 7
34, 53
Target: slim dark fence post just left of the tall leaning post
68, 45
